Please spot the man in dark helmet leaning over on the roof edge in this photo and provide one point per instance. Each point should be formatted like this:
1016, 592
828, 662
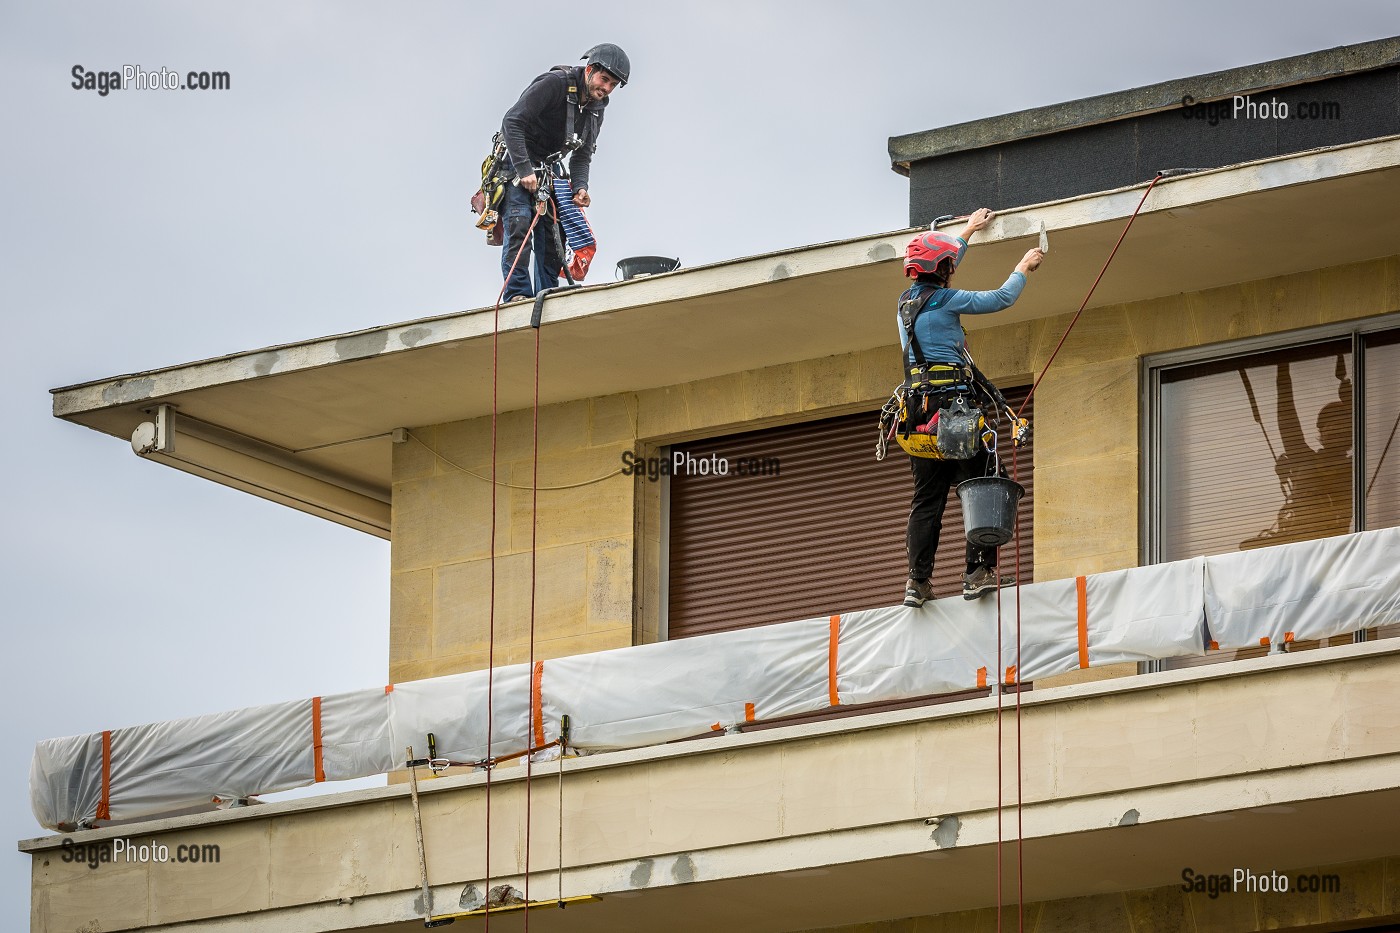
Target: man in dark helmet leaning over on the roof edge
559, 114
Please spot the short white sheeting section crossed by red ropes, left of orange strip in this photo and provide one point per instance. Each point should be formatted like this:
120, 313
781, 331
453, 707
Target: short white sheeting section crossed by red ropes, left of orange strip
454, 710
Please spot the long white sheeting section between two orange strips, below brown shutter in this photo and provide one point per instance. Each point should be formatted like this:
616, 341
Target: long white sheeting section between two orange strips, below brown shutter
673, 690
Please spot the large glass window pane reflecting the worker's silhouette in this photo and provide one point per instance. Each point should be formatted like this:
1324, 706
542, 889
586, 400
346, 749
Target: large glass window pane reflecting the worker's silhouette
1256, 450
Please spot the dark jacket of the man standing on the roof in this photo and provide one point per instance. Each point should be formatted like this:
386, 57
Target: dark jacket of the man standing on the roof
535, 127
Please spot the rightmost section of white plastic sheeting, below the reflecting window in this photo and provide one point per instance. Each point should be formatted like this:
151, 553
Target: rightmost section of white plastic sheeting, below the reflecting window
1301, 592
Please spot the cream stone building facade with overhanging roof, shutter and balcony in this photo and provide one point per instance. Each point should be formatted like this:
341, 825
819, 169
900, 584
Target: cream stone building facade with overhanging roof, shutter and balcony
1231, 386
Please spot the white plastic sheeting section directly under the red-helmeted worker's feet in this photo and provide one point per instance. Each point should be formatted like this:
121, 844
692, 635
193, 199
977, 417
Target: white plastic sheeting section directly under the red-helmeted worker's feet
897, 654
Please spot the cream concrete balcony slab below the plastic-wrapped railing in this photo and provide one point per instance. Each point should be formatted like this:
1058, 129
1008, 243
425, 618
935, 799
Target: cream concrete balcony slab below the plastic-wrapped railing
1125, 782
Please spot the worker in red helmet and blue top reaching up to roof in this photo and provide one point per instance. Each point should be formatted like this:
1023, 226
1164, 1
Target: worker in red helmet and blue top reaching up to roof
939, 379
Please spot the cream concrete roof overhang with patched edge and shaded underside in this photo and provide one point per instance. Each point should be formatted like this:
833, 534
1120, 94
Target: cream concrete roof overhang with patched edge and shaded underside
309, 424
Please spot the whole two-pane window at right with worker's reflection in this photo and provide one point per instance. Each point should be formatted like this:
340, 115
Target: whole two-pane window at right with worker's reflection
1262, 448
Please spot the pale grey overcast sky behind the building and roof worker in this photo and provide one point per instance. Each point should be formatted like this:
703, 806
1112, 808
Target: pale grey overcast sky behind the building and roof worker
328, 191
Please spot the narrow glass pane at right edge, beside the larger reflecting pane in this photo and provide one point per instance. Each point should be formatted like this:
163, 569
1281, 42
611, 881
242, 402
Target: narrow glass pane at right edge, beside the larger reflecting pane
1382, 407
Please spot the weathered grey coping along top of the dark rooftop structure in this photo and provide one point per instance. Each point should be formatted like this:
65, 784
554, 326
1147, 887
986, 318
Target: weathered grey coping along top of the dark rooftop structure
1300, 69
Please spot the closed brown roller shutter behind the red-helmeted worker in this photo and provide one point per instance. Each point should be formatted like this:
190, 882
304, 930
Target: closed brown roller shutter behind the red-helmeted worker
822, 534
